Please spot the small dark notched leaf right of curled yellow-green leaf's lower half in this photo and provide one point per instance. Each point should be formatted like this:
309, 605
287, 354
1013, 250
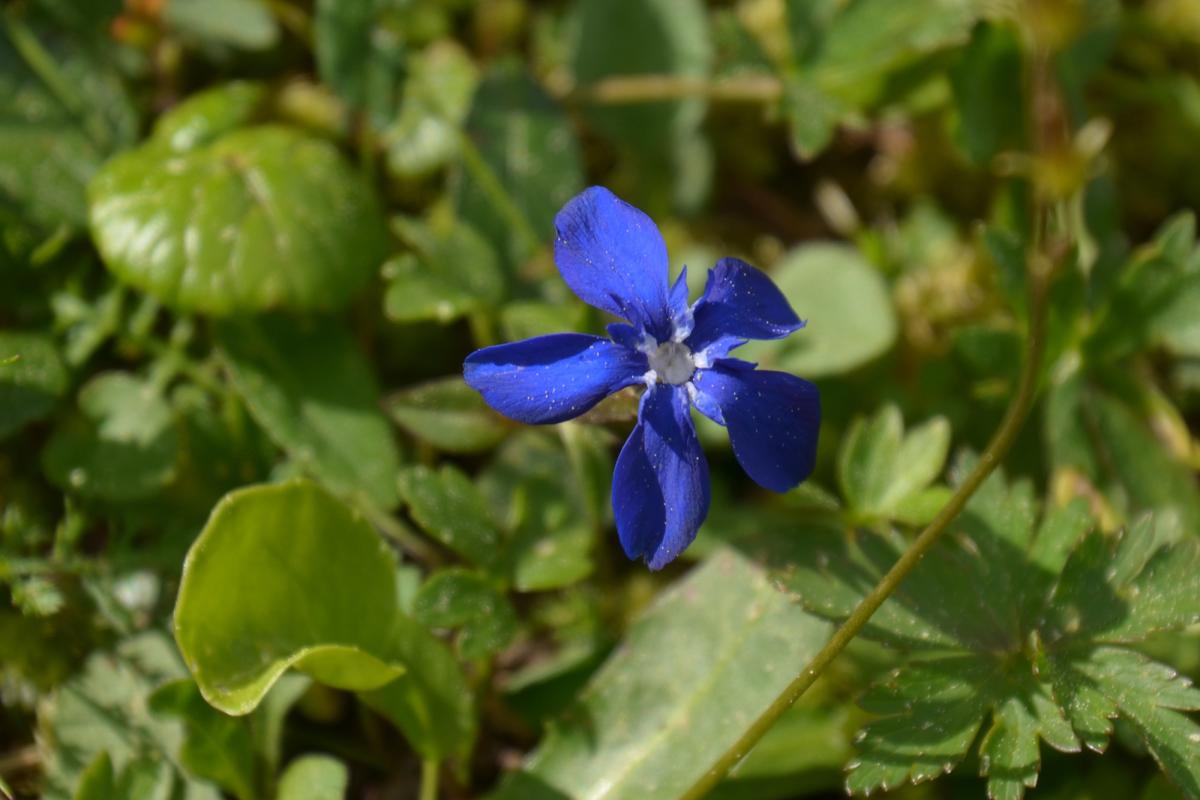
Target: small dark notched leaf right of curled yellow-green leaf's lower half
467, 601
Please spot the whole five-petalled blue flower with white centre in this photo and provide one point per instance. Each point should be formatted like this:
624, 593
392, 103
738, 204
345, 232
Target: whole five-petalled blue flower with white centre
614, 258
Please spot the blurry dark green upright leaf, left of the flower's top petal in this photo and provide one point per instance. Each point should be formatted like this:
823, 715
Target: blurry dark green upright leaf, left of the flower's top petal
527, 145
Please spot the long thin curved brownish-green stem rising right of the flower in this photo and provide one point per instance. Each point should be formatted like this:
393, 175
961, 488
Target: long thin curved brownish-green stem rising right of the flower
1001, 442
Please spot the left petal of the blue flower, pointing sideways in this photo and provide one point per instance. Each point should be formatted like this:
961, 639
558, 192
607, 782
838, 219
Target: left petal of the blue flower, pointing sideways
553, 378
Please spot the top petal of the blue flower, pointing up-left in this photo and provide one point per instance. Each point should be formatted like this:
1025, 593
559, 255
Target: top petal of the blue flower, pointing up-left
614, 258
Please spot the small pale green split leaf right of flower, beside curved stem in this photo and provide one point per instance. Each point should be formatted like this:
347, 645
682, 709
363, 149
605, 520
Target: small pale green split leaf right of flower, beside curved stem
880, 468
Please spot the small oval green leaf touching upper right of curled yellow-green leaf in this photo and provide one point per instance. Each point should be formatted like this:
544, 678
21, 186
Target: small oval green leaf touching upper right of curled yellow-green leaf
449, 508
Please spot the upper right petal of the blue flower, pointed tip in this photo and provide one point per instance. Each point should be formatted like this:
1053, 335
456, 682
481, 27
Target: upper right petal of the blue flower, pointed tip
740, 304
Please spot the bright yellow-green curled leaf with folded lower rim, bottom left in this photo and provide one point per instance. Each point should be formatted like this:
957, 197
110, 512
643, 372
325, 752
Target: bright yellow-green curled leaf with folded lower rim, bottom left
325, 601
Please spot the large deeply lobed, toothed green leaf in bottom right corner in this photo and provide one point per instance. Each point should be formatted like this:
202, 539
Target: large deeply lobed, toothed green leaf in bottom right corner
1017, 622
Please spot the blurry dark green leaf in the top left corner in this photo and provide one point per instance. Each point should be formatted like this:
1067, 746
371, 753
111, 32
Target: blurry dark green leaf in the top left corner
67, 111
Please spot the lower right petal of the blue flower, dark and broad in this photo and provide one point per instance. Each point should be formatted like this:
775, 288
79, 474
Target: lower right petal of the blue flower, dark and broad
773, 420
